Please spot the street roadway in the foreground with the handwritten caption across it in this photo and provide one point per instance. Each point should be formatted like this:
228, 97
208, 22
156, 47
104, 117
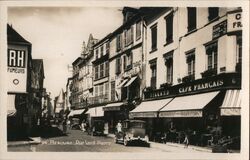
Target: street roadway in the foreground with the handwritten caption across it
76, 141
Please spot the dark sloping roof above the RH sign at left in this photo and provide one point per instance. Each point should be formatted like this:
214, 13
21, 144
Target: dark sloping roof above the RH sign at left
14, 37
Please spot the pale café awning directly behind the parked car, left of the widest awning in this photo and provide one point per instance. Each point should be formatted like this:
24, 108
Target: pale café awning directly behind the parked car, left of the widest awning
149, 108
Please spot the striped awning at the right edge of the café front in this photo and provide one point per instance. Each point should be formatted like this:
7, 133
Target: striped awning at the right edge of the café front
232, 103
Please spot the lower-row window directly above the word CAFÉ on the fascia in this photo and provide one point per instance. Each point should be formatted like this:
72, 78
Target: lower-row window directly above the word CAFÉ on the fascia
190, 59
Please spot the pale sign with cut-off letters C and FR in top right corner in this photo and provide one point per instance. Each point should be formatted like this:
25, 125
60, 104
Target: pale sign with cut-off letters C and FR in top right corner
234, 22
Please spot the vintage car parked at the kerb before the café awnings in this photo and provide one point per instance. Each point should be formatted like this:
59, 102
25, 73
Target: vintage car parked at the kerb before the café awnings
132, 130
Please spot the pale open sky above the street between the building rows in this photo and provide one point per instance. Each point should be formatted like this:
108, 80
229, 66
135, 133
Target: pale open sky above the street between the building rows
57, 34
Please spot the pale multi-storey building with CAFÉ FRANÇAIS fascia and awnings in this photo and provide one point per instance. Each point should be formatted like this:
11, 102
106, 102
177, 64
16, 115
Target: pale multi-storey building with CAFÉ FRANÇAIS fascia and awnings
193, 71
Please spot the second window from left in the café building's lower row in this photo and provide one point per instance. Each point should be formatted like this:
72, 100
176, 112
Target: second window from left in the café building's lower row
169, 67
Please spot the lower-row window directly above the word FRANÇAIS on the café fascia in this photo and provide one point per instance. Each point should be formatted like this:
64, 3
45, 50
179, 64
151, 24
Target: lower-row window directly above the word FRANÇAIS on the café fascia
212, 55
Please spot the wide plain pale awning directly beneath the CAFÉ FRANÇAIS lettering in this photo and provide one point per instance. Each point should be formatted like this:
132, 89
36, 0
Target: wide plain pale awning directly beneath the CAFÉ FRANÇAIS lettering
187, 106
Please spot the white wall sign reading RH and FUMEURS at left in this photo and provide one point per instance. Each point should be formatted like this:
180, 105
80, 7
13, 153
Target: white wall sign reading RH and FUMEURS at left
17, 70
